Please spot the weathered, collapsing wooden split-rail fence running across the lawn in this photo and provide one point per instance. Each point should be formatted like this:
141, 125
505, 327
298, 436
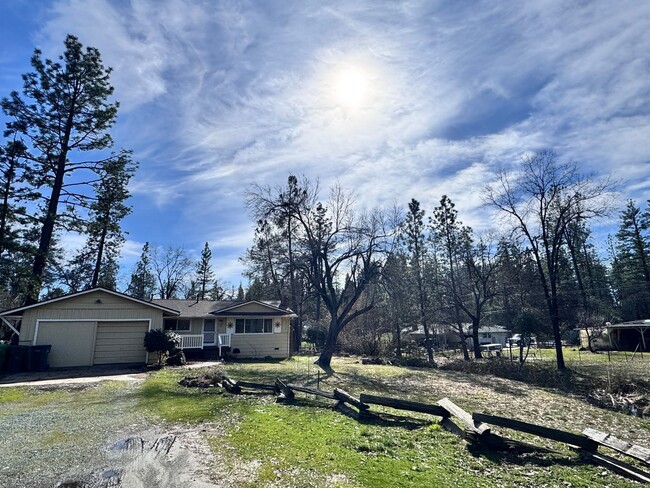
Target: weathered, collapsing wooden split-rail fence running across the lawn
473, 427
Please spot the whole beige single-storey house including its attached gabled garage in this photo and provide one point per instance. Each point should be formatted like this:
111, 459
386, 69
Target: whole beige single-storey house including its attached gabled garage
100, 326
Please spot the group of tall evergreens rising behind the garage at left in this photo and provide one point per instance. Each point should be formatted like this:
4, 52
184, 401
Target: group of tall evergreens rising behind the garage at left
60, 174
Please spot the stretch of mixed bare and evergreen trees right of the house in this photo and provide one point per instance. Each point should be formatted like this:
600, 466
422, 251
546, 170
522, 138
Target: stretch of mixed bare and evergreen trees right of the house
360, 275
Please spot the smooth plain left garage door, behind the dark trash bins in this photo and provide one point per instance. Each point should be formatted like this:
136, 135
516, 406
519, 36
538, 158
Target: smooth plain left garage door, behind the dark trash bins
72, 342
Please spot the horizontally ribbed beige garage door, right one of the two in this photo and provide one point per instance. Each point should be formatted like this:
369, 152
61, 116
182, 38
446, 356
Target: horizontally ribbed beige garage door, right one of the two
120, 342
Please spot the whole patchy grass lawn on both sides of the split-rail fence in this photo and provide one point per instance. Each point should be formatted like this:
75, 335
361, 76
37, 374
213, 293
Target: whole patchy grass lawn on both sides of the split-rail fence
258, 442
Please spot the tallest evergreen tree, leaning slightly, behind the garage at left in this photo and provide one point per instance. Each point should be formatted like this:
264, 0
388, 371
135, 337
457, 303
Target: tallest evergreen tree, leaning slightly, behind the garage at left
63, 110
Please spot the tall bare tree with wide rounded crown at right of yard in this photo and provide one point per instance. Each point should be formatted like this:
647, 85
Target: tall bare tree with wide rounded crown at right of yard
540, 200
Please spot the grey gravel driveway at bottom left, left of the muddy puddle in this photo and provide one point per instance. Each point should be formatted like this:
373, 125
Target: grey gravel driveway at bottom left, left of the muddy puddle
66, 439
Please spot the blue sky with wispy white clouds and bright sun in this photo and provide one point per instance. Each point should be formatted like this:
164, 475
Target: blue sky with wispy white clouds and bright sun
392, 99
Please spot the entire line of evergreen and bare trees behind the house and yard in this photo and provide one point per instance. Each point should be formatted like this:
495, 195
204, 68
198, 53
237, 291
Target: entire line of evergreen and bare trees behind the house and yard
356, 275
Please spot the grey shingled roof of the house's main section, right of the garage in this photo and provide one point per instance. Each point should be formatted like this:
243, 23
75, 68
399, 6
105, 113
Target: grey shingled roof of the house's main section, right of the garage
210, 308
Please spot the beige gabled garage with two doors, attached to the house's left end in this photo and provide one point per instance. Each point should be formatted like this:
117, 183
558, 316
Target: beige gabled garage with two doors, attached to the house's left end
92, 327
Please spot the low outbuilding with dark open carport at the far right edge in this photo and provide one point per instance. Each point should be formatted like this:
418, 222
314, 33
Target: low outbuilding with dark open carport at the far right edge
628, 336
